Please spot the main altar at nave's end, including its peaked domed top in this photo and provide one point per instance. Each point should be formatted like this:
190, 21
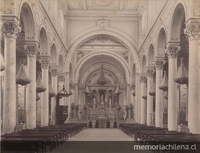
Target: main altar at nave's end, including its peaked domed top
102, 98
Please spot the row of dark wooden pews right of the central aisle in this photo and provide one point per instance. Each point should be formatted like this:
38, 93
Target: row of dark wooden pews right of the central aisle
150, 135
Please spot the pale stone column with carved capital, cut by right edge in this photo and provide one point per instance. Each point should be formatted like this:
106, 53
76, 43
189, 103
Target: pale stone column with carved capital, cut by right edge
193, 32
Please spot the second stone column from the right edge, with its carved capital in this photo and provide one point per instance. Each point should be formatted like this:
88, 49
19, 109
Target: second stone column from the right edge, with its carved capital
173, 110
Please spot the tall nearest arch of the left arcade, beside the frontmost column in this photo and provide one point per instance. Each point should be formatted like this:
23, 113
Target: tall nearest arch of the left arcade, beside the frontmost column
26, 14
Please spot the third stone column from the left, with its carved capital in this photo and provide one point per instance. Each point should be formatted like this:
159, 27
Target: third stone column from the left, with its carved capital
45, 60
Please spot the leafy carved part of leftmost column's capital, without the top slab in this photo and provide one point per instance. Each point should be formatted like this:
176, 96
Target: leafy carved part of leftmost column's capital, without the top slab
11, 28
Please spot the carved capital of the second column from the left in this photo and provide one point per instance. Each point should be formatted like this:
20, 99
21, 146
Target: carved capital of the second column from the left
31, 48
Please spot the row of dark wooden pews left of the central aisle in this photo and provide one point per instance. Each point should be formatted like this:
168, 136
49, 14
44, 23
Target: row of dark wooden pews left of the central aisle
40, 139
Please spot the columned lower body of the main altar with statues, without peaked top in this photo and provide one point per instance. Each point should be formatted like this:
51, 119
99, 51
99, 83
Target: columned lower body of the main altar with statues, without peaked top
102, 104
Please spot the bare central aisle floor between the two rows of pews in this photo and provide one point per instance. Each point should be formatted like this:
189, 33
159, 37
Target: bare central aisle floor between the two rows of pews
98, 141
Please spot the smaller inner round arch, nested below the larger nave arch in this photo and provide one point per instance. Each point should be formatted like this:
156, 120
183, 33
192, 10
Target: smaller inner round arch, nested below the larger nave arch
90, 55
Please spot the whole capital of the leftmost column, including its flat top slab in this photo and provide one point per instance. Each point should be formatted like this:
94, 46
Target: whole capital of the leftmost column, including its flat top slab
10, 27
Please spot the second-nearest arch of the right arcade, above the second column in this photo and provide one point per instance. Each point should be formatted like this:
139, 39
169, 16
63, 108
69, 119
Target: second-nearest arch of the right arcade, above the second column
161, 43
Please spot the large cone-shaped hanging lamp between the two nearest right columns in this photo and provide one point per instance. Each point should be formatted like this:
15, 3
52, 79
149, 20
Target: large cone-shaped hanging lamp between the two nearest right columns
182, 74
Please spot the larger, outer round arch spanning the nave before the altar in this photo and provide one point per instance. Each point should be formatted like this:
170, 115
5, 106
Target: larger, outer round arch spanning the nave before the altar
87, 36
